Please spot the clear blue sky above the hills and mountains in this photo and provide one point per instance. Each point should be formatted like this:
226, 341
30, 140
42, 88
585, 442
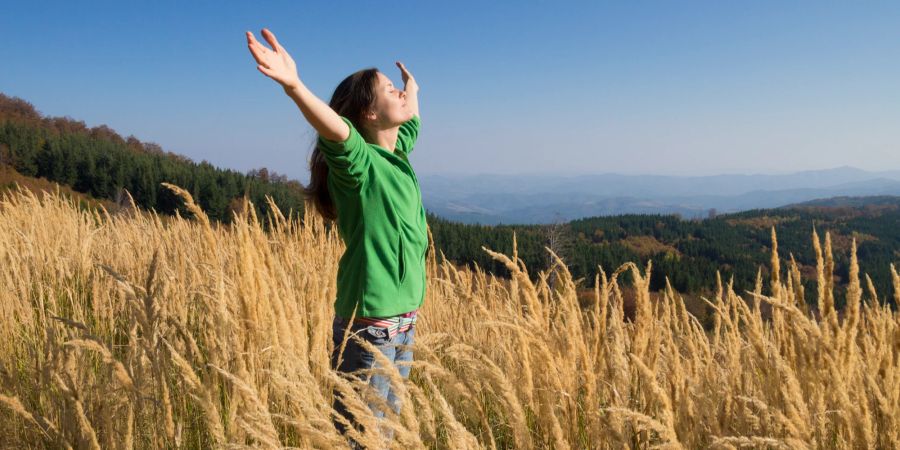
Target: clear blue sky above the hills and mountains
681, 88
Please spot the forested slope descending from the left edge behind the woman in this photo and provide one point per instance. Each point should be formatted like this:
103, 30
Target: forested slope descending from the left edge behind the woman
100, 163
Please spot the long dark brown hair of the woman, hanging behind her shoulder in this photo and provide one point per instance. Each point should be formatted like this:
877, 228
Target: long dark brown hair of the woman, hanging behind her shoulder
352, 97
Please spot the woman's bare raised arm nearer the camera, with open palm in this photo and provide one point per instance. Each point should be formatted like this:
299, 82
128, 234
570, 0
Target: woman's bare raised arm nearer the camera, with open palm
278, 65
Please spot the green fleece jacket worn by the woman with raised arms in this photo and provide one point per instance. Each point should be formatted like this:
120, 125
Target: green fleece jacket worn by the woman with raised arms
381, 220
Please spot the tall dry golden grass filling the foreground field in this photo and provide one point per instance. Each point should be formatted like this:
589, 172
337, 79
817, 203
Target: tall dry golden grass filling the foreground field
128, 332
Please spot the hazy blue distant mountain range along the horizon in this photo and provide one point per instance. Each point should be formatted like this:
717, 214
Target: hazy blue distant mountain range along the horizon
540, 199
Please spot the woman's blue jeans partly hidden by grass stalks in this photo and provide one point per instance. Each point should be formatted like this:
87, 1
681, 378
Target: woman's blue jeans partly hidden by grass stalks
355, 358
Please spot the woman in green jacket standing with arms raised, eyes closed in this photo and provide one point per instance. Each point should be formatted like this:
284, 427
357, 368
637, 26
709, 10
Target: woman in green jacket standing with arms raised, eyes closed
361, 177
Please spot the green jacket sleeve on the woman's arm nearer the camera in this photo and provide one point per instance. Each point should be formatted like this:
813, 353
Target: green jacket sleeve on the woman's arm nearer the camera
348, 161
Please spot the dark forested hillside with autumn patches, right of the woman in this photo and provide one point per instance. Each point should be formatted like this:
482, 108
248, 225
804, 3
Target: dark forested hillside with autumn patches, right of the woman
690, 252
